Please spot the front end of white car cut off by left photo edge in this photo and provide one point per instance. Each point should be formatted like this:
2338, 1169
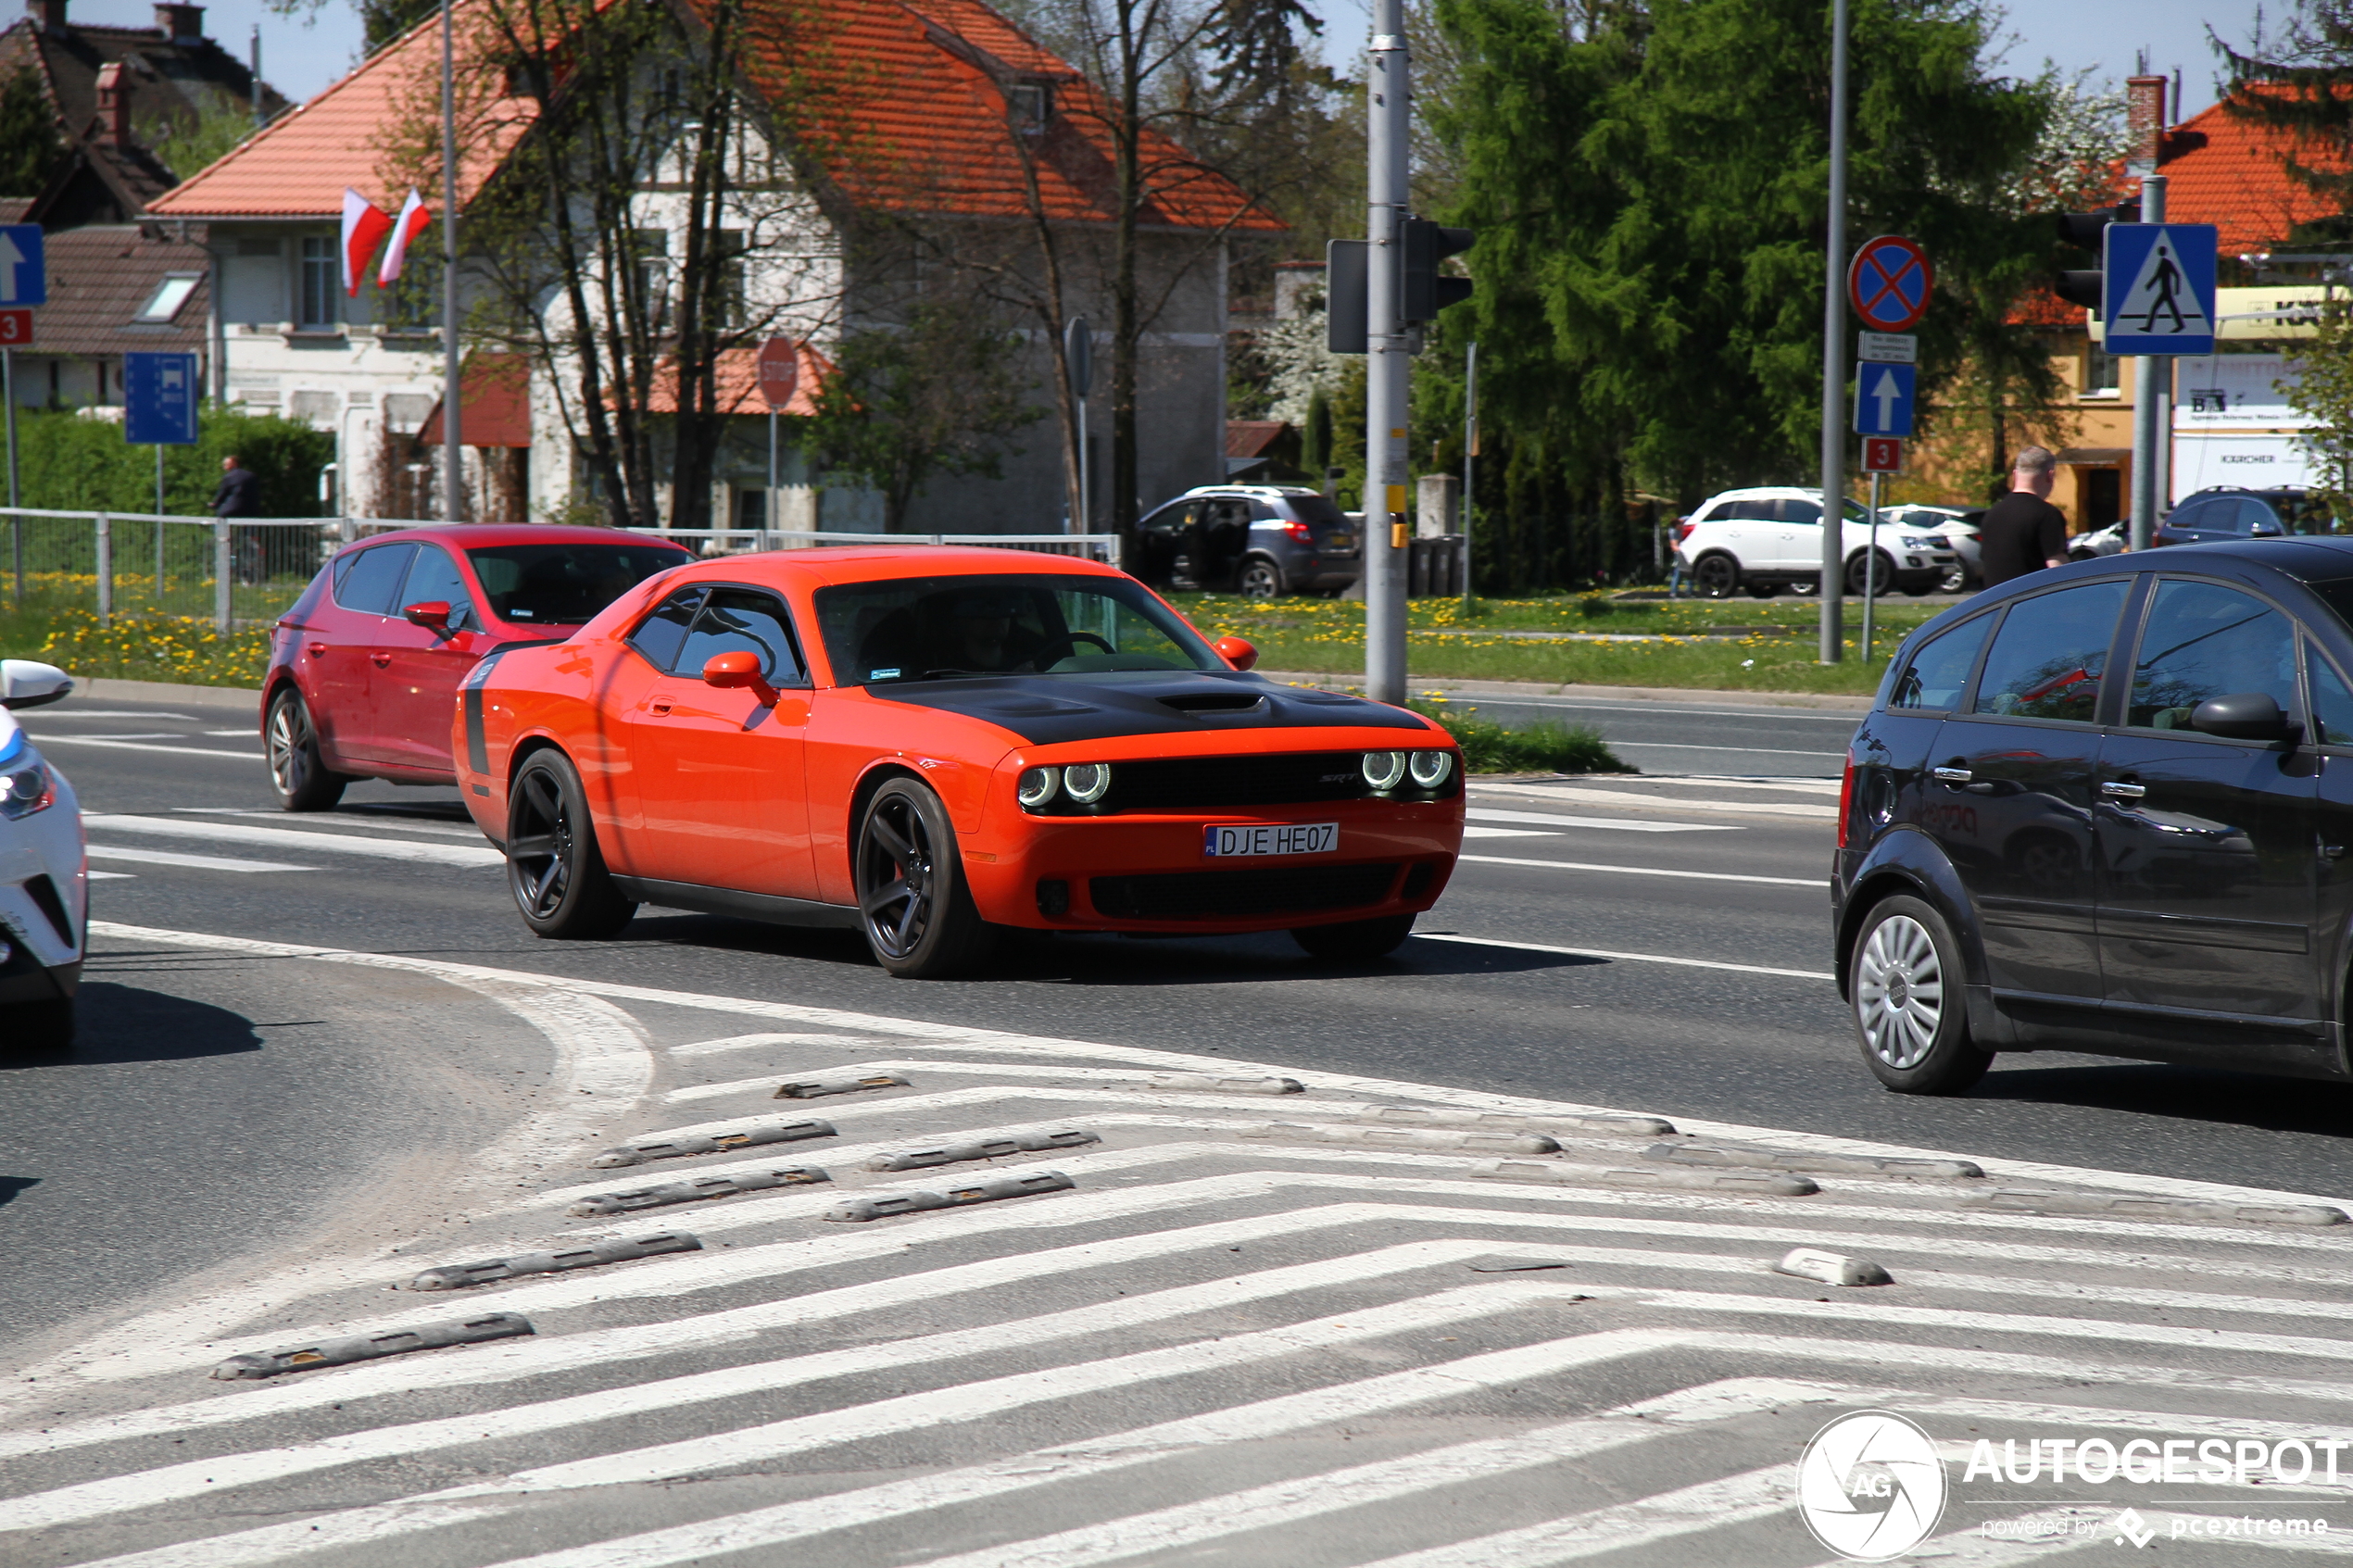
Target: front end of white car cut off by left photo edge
44, 873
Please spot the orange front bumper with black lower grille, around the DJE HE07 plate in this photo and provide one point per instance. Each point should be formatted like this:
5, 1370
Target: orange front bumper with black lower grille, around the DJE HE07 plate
1149, 873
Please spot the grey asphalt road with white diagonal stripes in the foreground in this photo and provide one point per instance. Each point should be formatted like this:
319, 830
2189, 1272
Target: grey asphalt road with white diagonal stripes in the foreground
253, 1144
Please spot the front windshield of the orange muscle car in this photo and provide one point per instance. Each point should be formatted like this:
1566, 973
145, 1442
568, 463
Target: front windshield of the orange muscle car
949, 626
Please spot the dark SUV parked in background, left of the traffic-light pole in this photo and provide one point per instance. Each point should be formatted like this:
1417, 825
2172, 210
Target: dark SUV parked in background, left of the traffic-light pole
1253, 540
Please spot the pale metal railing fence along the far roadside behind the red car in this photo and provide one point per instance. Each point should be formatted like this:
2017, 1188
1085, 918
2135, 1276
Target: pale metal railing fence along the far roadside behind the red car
253, 570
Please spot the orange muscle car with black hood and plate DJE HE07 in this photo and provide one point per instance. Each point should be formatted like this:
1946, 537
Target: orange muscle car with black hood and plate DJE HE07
935, 744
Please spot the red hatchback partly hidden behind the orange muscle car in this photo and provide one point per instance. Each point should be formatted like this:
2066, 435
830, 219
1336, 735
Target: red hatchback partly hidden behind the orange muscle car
368, 664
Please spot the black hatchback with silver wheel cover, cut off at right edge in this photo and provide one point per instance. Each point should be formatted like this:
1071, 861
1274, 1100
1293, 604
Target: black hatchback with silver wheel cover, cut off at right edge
2109, 808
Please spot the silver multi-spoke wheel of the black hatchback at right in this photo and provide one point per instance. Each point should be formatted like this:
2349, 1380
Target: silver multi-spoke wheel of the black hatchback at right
1905, 989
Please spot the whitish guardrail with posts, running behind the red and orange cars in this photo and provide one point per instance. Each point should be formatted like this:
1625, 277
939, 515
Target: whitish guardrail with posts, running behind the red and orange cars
241, 558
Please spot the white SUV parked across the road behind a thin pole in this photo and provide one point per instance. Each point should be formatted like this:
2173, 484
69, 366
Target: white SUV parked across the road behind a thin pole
1771, 537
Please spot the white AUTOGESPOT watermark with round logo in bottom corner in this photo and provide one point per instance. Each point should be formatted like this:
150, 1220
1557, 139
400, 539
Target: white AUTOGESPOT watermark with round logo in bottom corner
1872, 1487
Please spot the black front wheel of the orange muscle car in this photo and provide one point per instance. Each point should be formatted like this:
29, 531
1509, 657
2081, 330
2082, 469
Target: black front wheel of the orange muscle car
909, 878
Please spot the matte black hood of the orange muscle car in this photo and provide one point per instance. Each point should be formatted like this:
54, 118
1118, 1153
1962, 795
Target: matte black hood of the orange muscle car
1058, 709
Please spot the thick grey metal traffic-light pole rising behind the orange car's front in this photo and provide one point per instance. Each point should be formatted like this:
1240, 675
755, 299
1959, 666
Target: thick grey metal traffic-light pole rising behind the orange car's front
1389, 361
